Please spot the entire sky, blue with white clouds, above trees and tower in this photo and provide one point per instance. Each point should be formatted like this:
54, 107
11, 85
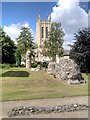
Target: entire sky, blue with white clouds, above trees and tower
73, 15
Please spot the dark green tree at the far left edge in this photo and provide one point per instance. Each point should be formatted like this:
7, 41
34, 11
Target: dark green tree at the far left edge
8, 48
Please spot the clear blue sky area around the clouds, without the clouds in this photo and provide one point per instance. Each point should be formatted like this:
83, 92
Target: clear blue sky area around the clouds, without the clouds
14, 12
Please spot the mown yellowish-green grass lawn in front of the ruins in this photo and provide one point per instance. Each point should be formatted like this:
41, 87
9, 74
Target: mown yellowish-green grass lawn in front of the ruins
23, 84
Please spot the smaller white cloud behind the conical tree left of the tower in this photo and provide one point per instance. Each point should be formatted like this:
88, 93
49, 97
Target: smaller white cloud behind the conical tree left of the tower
14, 30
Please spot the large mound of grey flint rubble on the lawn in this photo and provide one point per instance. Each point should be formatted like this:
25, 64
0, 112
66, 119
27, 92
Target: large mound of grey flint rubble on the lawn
66, 70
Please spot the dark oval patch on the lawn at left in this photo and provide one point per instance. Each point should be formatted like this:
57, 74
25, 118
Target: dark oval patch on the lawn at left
15, 74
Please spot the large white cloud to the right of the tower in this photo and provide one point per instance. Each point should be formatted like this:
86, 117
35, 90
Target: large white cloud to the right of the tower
71, 16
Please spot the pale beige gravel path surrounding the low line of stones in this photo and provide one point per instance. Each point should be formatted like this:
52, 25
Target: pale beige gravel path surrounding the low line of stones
6, 106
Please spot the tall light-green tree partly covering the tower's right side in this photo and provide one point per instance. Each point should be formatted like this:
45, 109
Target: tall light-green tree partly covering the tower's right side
53, 45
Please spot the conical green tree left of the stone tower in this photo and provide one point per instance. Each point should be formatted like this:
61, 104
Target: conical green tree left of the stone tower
25, 42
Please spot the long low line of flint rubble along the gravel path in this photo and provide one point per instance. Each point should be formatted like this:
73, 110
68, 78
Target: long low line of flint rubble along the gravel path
17, 111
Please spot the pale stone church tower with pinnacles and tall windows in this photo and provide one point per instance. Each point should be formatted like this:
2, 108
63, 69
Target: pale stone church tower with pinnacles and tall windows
42, 29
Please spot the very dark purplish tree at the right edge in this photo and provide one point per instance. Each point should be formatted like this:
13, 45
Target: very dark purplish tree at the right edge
80, 50
